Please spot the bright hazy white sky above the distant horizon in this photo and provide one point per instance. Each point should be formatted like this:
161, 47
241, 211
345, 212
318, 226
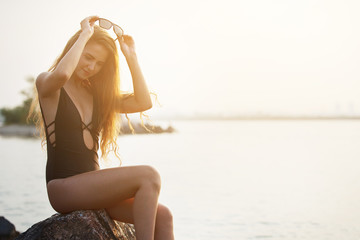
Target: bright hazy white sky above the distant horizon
226, 57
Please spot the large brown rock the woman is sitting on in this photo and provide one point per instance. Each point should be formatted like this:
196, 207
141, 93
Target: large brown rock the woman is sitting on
82, 224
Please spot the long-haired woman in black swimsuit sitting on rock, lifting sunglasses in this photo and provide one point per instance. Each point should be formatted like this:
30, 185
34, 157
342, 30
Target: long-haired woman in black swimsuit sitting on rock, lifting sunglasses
79, 99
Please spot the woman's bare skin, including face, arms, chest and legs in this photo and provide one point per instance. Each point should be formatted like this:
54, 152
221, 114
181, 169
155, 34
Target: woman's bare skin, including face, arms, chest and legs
128, 194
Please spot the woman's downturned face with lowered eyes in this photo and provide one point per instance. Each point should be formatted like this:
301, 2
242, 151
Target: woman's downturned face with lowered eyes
91, 61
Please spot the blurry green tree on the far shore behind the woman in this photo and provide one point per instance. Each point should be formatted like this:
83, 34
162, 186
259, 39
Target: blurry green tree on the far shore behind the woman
18, 114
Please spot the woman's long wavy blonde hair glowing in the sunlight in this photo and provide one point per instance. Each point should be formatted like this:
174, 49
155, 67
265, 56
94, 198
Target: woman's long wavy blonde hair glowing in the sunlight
105, 87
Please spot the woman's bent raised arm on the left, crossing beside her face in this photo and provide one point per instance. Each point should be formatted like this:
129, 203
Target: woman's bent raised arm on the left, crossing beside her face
49, 82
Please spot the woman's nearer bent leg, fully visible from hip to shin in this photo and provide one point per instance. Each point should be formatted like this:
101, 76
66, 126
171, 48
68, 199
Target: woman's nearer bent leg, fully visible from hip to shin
104, 188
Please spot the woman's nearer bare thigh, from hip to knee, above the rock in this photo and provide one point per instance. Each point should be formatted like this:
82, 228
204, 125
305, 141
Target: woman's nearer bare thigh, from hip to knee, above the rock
98, 189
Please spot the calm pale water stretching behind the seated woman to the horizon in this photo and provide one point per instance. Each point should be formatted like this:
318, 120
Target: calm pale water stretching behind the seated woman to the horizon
224, 179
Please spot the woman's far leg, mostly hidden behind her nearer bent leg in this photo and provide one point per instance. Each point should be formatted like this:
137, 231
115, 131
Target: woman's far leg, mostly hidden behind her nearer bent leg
123, 212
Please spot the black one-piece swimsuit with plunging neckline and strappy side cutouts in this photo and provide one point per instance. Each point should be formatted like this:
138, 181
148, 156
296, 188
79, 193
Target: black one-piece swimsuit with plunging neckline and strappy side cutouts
68, 154
